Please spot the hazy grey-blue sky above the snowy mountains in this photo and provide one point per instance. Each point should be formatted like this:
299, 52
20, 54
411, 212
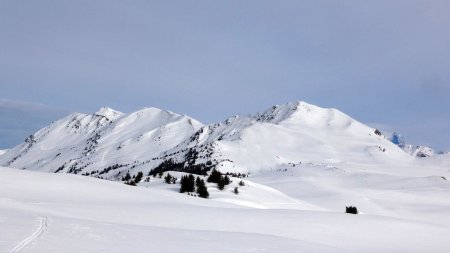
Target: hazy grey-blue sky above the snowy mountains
382, 62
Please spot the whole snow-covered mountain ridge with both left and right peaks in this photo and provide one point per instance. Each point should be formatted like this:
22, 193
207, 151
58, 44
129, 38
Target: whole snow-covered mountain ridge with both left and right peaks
108, 143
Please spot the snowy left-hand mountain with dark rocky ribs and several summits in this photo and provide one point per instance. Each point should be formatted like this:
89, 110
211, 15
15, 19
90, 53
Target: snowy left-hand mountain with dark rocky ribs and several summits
93, 144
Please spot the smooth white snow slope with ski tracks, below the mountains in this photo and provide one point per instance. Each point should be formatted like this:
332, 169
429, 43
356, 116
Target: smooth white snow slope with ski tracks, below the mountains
42, 212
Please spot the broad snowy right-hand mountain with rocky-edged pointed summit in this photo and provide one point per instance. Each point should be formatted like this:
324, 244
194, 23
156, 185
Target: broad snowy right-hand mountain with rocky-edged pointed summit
292, 133
